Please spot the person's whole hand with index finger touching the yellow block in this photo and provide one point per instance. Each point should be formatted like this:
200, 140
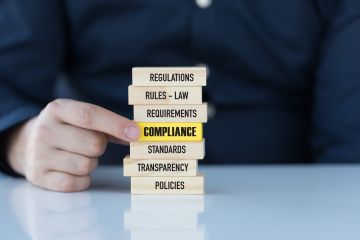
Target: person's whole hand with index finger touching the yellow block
58, 149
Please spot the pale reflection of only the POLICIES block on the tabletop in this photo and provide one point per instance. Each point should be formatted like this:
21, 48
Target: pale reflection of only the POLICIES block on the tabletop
168, 203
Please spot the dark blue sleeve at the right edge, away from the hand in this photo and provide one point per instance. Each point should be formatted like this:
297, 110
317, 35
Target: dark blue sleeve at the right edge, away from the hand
336, 116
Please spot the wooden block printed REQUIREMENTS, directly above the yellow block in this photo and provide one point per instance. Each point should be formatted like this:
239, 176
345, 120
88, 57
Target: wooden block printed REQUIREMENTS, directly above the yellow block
171, 113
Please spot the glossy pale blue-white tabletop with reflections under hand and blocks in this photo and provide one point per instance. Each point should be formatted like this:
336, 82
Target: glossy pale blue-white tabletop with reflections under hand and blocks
241, 202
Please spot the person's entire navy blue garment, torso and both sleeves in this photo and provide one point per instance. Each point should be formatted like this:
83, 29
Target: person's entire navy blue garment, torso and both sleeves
284, 81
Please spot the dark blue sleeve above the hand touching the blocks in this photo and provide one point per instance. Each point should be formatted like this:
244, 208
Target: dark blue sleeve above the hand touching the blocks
31, 57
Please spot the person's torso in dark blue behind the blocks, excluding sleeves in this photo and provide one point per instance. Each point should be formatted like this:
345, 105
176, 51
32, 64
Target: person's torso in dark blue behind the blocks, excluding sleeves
261, 56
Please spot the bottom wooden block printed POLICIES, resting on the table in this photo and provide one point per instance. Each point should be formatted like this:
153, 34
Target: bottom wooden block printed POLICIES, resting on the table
167, 185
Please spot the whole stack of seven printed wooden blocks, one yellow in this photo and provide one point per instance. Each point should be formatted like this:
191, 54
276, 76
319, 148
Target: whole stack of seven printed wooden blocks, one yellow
169, 111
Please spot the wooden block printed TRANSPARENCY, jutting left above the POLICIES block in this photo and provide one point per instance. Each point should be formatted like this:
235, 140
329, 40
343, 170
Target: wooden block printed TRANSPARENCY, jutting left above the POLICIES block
151, 168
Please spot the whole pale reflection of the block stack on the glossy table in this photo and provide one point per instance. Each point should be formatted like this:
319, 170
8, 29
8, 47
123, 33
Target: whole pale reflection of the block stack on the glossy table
165, 217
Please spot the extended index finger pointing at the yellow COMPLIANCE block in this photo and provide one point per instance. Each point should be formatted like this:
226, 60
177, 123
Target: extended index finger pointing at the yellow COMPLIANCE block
90, 116
